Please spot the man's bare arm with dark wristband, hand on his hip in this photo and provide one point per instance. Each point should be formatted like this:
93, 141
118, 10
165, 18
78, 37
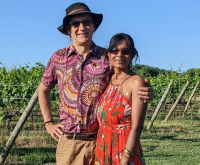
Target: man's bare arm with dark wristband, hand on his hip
45, 107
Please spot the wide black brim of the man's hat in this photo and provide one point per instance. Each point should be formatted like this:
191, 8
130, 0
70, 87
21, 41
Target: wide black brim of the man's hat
97, 19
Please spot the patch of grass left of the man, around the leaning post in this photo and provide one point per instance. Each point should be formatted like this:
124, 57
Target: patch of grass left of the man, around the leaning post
31, 147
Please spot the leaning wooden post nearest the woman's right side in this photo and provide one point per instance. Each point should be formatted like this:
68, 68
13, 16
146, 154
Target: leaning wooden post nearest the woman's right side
159, 105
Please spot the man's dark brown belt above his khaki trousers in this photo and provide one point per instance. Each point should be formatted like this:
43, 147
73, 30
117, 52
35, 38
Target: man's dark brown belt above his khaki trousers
81, 136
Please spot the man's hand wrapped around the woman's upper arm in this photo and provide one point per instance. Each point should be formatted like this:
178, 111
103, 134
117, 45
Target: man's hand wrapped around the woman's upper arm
146, 93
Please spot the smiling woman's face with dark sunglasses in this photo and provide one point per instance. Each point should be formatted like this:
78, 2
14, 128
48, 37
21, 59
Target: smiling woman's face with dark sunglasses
120, 57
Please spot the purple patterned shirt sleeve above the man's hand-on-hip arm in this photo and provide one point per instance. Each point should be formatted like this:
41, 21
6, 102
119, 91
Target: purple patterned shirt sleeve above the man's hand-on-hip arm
49, 77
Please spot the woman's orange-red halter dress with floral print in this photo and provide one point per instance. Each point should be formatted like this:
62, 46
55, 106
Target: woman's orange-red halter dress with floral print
114, 116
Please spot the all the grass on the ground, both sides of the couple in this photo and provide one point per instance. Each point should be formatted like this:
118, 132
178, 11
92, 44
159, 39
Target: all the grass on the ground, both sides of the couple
176, 142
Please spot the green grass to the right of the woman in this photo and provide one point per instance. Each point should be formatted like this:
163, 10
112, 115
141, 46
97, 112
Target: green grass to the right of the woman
179, 144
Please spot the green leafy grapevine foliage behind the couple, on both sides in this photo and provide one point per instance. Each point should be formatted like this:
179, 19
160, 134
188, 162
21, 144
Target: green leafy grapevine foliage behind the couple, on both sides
18, 84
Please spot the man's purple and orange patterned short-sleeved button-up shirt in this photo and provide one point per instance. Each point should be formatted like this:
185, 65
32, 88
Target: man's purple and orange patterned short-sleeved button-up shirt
80, 85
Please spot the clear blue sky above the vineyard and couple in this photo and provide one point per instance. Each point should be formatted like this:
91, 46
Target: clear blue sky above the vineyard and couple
166, 32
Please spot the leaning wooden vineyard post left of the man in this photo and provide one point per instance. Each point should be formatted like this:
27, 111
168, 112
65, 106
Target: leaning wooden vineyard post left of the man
18, 127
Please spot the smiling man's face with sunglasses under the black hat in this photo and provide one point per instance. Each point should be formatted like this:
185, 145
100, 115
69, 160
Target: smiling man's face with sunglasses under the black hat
81, 33
